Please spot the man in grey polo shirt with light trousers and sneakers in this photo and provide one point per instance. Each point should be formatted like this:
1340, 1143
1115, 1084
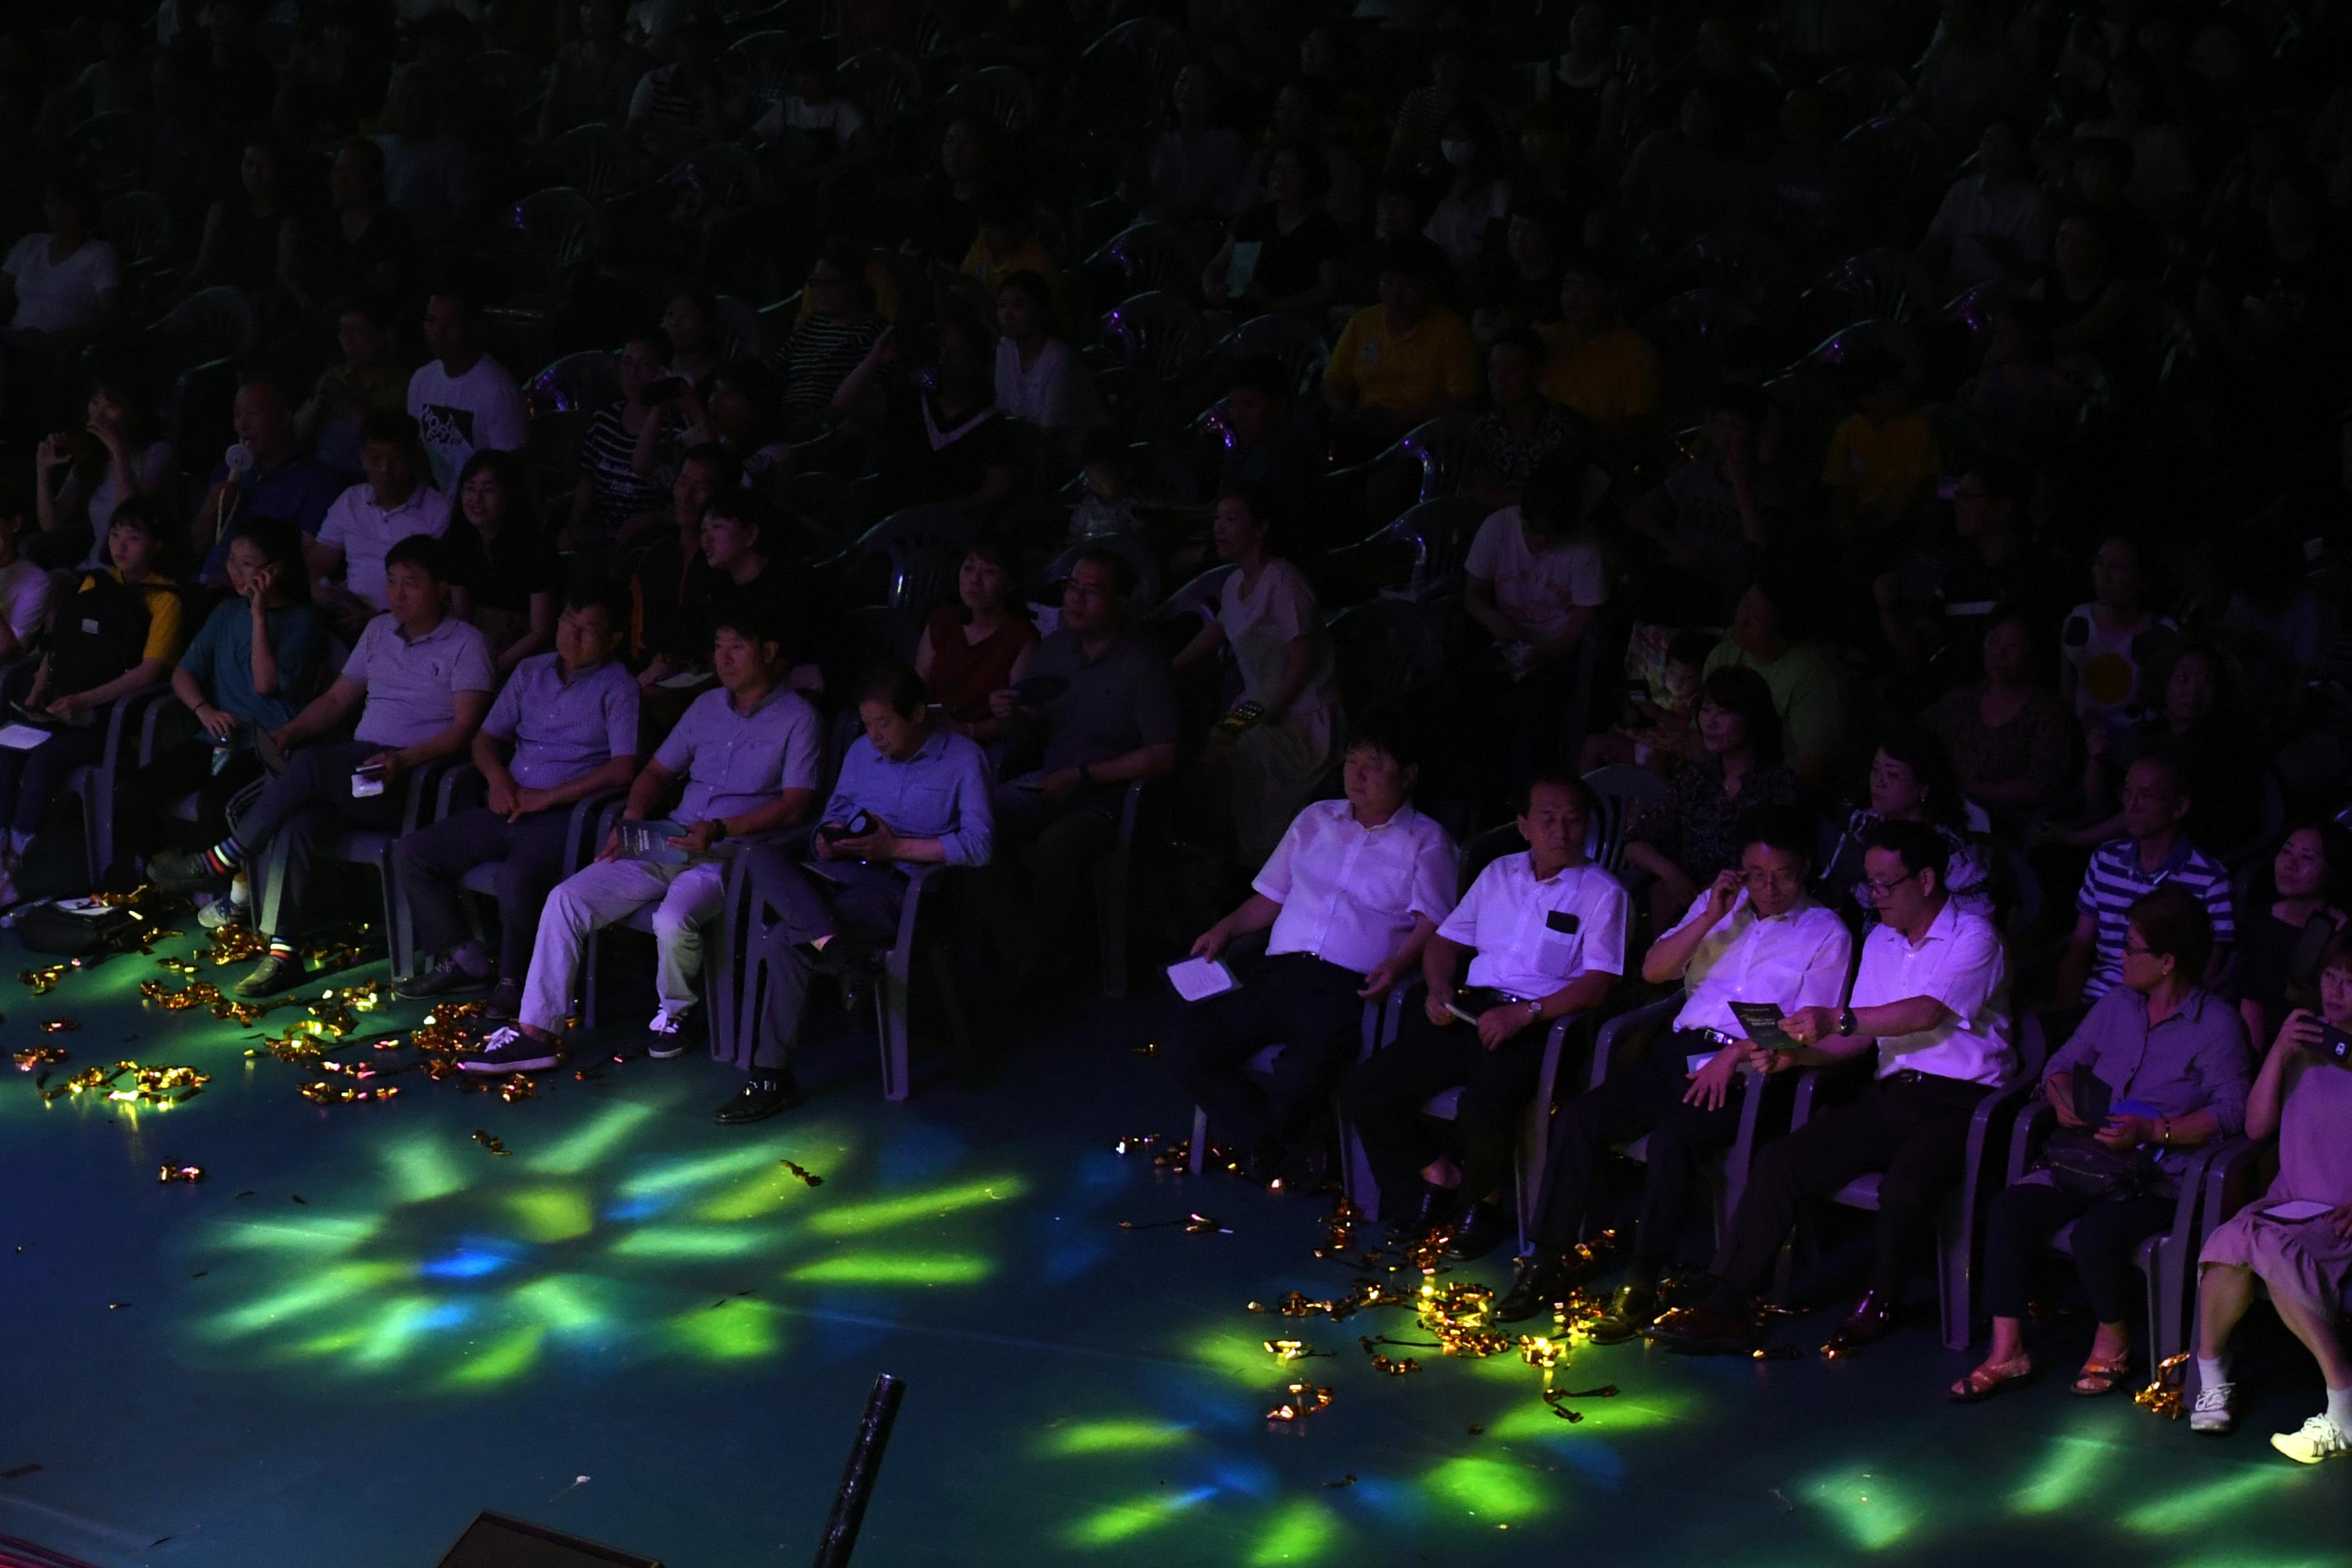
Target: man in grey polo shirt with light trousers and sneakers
751, 756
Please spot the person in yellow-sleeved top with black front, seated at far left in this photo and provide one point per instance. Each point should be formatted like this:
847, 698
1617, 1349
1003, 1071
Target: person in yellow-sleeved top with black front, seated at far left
121, 634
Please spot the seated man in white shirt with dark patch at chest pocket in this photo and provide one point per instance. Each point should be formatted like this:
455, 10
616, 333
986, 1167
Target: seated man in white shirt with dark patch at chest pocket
1549, 932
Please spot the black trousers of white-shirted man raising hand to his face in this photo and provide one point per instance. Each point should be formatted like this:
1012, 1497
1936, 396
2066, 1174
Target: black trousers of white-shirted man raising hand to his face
1638, 1099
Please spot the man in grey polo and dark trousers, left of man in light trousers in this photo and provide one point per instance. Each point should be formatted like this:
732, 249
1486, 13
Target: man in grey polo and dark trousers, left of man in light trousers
563, 728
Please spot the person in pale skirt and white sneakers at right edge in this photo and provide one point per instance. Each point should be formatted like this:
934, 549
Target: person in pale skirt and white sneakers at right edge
2299, 1235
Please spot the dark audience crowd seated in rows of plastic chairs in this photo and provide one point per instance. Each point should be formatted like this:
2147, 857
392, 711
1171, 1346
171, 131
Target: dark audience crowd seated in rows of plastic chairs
1805, 535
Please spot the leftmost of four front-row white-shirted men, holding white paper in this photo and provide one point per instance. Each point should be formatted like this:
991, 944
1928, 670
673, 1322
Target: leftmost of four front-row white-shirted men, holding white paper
1354, 894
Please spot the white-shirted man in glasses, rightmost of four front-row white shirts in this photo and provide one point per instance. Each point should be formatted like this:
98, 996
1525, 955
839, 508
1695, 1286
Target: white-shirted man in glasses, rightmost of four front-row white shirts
1932, 996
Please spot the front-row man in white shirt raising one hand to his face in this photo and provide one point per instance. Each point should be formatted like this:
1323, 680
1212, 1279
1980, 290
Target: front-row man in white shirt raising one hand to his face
1753, 937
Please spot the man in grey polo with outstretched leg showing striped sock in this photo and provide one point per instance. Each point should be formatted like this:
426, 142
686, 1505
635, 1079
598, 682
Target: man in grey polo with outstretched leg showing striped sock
425, 678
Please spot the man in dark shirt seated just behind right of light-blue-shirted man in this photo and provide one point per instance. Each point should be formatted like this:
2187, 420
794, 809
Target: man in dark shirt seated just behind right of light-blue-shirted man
1097, 711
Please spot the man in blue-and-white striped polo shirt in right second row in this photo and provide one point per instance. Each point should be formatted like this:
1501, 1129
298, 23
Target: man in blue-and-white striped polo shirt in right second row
2153, 852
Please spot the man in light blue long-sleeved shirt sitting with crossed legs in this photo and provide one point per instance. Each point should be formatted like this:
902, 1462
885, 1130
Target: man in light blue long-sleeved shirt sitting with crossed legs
911, 793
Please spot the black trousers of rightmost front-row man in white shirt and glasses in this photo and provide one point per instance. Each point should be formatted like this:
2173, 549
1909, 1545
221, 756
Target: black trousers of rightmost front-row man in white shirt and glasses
1911, 1130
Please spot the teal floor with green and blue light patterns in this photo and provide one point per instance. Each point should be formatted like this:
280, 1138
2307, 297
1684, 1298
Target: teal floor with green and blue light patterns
363, 1327
